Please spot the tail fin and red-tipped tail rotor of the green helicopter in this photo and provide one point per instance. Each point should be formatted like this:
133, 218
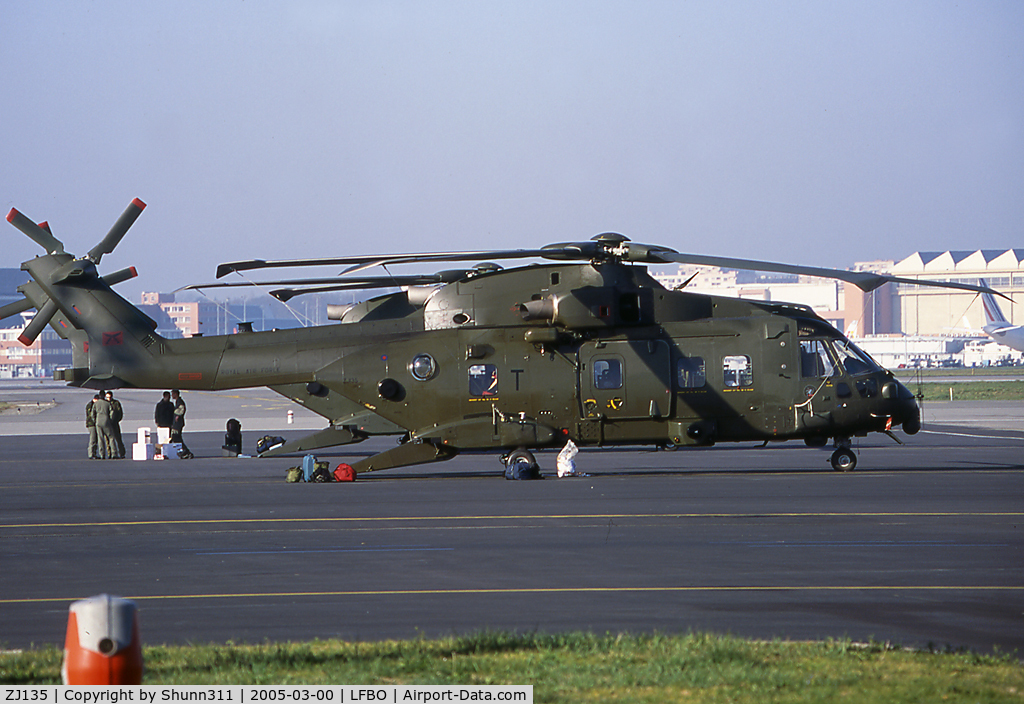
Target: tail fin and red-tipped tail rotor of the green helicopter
105, 330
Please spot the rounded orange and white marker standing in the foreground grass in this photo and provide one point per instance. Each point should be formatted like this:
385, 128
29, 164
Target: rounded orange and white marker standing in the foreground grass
103, 645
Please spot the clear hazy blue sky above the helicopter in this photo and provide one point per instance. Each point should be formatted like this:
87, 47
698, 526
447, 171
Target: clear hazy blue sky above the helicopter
808, 133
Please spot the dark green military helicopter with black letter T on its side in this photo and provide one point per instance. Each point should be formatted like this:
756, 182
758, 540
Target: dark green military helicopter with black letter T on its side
587, 347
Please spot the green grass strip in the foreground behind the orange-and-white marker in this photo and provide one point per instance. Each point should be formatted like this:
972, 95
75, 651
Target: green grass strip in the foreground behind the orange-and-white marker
583, 668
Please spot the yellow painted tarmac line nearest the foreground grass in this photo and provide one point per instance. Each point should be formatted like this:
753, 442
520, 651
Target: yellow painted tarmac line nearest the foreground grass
534, 591
